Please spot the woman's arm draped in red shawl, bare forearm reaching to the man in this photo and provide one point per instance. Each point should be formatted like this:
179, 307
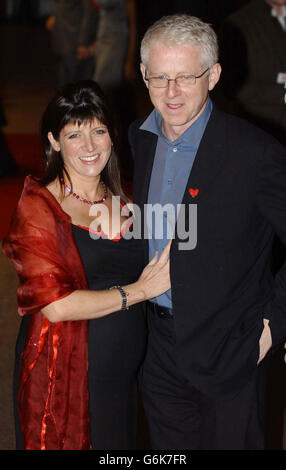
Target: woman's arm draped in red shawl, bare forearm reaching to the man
45, 261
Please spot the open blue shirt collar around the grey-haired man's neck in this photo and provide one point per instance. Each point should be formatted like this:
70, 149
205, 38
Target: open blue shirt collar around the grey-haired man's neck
191, 136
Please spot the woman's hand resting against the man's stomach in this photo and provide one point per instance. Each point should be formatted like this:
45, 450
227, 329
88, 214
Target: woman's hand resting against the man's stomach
155, 277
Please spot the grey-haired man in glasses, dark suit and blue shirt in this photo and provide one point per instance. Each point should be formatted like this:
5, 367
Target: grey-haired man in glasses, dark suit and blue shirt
203, 378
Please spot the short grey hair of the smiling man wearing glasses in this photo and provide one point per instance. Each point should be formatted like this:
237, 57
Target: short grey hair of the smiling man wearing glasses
182, 29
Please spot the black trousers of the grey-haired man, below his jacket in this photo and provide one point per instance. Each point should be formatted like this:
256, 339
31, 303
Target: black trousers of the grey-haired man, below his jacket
182, 417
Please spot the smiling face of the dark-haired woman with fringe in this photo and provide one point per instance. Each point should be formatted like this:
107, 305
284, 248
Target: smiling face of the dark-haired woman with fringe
85, 148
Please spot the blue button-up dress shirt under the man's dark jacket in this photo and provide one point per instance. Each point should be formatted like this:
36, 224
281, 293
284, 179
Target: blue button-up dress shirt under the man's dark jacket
171, 169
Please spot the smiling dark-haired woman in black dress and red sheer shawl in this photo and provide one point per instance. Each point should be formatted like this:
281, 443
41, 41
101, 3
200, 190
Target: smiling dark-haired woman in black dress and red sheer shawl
77, 384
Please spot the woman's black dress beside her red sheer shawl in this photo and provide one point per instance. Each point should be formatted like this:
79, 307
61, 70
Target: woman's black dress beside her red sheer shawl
116, 343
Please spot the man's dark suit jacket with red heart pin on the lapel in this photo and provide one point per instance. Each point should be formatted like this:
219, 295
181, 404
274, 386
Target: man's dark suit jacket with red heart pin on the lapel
223, 288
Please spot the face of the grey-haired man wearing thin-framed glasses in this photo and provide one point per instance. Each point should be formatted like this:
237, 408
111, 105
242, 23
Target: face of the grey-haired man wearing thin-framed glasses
179, 106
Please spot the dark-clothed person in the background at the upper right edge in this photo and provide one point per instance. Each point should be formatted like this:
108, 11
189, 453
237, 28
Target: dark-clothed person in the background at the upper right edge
253, 55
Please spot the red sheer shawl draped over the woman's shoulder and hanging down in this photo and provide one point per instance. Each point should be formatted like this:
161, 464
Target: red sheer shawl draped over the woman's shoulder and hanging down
53, 391
